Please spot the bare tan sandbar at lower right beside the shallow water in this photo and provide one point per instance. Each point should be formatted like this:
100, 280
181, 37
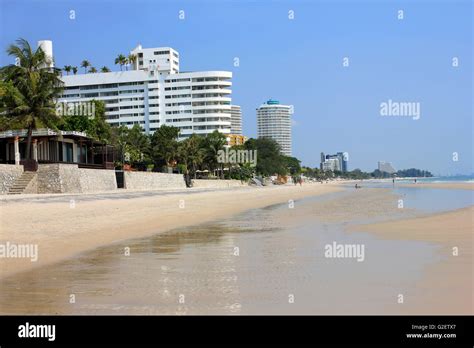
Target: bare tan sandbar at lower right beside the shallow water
446, 286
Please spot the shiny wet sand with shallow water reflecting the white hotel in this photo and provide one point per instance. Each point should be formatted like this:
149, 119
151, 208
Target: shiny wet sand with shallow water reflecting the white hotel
253, 263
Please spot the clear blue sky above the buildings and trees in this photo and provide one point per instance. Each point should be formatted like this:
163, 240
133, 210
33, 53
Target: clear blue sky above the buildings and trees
299, 62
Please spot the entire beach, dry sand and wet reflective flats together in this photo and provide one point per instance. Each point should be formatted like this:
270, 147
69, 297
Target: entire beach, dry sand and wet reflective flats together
182, 243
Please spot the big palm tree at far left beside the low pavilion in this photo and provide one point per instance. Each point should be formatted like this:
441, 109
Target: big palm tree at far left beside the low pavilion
30, 90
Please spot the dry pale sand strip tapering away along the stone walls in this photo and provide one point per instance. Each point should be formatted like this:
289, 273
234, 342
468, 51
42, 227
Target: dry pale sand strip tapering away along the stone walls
65, 225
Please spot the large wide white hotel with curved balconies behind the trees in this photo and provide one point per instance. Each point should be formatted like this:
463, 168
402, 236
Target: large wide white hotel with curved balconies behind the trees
153, 92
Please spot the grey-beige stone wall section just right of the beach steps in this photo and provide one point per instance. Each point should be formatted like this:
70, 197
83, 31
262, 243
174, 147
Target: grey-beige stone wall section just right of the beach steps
69, 178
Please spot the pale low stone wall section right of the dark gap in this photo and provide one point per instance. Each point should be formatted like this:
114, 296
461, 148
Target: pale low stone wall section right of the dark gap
153, 181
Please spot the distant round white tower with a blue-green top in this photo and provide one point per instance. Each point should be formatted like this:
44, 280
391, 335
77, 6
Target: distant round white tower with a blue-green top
274, 121
